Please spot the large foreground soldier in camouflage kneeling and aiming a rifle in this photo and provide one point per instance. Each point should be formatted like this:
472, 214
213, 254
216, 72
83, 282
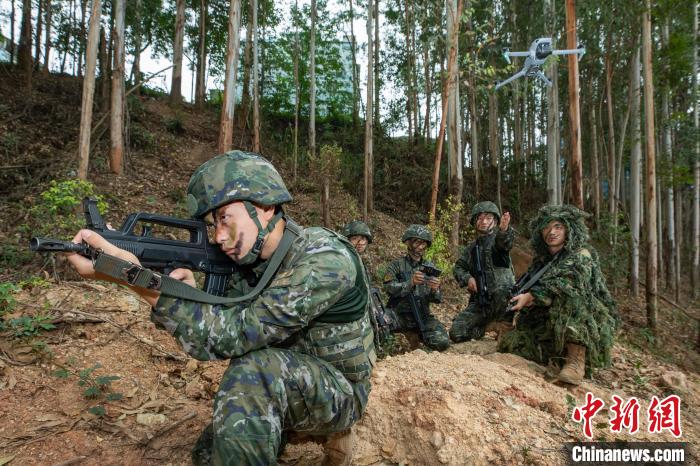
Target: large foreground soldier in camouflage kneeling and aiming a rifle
301, 350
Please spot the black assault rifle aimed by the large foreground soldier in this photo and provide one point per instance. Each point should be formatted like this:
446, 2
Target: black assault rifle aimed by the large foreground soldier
162, 254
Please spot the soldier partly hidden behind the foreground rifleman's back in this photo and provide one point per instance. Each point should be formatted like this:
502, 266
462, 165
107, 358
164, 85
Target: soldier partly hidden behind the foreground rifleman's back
383, 319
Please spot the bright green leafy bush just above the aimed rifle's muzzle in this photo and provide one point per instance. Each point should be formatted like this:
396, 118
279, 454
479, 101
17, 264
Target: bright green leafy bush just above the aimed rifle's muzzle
59, 213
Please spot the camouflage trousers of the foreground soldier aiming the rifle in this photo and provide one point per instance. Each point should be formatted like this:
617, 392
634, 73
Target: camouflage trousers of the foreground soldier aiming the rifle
267, 392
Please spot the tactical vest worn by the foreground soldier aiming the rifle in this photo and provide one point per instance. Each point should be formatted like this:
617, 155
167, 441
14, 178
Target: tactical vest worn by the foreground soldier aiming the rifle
343, 336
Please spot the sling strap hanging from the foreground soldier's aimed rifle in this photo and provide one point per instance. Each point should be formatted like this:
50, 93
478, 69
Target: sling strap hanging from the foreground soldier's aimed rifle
145, 278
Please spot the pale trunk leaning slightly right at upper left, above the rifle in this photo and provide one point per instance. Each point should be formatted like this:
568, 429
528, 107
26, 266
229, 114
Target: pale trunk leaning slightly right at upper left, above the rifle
88, 89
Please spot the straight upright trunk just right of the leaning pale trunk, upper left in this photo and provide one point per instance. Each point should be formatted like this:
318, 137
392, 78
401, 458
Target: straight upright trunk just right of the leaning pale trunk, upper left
116, 152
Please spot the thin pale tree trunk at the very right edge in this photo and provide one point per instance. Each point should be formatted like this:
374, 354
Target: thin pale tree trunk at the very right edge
696, 191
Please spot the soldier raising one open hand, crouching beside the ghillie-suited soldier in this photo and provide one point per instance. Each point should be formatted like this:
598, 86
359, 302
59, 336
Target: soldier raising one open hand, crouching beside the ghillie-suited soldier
493, 244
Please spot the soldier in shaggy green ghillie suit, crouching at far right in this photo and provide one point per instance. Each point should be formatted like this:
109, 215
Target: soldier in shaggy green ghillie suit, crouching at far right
568, 317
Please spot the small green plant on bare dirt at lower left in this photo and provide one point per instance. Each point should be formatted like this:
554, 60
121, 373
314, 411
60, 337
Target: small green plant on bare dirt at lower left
94, 387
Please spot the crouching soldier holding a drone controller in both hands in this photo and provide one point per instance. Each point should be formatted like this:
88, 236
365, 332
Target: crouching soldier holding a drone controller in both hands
403, 277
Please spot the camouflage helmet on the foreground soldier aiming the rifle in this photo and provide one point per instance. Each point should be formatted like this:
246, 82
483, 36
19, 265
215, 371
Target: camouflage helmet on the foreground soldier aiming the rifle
234, 176
